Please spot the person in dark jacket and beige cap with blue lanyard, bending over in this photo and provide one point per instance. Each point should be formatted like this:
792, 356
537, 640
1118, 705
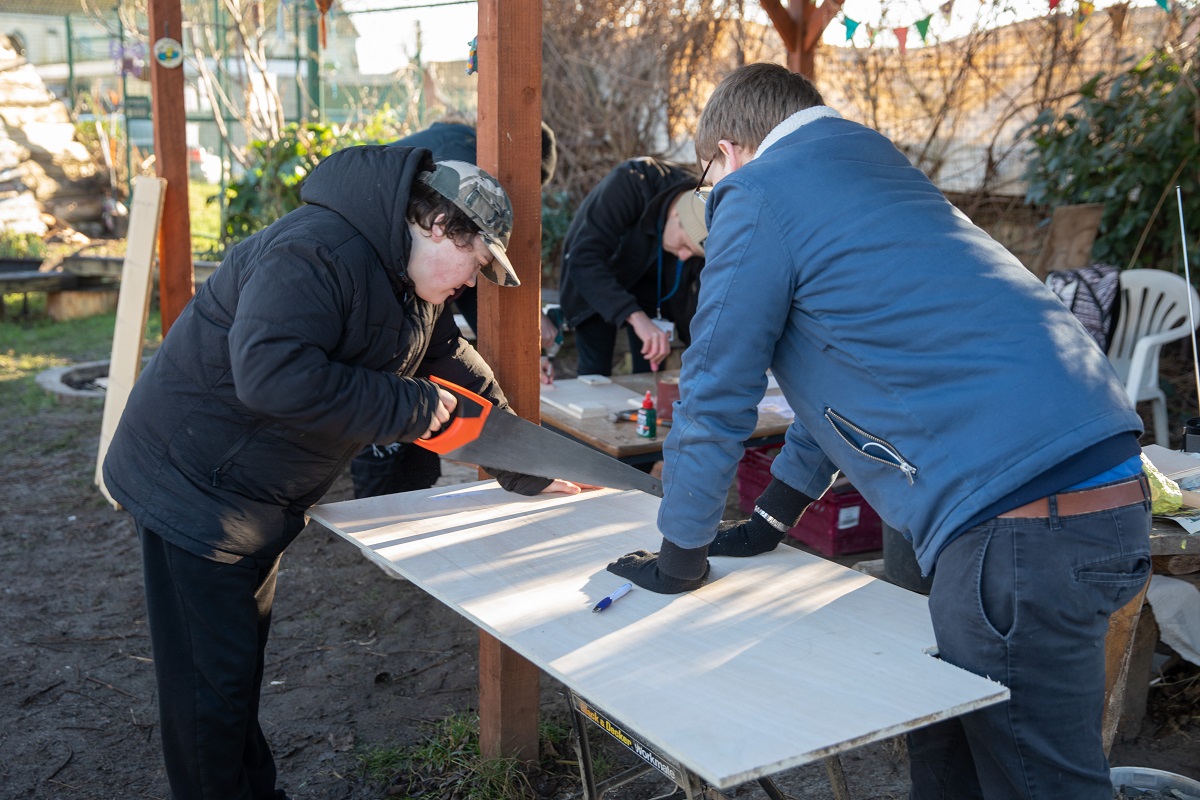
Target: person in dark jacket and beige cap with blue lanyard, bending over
632, 258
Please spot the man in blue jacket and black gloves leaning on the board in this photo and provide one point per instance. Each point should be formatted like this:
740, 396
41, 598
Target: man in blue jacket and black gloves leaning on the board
952, 388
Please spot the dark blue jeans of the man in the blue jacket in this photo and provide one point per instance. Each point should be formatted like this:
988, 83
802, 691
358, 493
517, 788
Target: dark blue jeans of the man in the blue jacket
1027, 603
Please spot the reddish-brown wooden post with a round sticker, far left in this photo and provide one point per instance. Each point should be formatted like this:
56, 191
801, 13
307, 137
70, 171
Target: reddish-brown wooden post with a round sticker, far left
176, 275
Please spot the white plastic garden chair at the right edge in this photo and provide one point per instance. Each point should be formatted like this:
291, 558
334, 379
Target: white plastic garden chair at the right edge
1154, 312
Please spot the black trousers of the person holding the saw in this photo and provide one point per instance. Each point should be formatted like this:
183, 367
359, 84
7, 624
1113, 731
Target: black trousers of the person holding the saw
209, 624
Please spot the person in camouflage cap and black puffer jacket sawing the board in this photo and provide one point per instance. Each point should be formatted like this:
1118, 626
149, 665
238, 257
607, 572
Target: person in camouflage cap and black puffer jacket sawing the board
316, 338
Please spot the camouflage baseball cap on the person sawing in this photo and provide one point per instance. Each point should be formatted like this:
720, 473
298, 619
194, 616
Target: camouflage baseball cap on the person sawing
484, 201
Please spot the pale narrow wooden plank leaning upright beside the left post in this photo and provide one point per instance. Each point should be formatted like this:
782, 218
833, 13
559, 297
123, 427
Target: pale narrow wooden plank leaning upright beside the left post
133, 309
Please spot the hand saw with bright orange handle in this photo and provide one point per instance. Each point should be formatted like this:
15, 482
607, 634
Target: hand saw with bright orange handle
482, 435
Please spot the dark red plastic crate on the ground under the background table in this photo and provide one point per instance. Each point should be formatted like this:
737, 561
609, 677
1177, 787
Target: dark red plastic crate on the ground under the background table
838, 524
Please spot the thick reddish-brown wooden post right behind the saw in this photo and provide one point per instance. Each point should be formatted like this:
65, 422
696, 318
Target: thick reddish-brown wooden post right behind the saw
509, 147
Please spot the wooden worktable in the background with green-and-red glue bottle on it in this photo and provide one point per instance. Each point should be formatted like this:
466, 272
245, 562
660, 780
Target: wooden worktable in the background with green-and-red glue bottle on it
621, 440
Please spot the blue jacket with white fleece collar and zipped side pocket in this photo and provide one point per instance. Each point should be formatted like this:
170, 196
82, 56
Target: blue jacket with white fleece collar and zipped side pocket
921, 358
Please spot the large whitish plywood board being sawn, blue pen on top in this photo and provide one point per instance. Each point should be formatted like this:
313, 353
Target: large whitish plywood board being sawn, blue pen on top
778, 661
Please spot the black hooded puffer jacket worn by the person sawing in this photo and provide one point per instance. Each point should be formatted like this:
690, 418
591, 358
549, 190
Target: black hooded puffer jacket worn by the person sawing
304, 347
